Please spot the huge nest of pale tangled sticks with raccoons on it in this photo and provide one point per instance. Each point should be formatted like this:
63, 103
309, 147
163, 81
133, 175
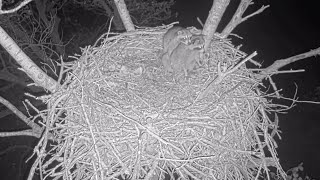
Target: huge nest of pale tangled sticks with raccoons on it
125, 117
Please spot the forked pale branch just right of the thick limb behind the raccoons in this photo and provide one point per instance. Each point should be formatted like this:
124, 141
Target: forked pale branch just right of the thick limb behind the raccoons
237, 17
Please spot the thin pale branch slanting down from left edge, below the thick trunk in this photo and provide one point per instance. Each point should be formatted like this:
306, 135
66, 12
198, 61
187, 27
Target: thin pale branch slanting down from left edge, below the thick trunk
35, 127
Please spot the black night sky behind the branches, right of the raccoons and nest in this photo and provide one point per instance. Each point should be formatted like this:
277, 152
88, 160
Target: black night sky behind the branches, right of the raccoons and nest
285, 29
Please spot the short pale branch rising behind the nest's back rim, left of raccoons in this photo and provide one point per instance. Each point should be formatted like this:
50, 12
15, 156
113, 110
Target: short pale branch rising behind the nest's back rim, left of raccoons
124, 14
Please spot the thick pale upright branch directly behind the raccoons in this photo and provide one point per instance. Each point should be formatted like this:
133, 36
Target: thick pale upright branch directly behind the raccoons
214, 18
